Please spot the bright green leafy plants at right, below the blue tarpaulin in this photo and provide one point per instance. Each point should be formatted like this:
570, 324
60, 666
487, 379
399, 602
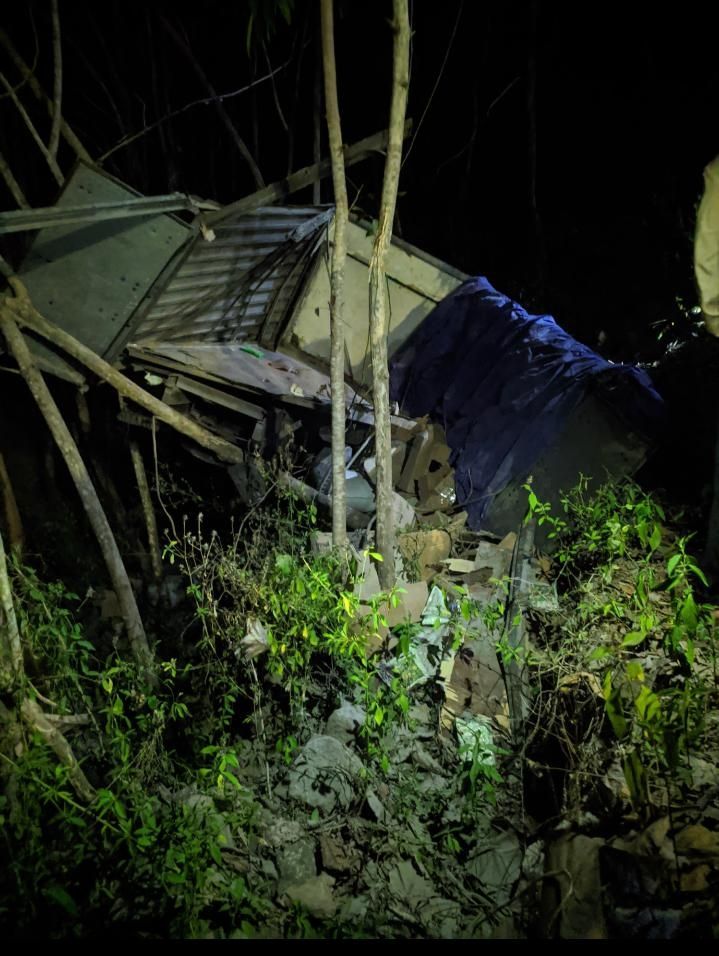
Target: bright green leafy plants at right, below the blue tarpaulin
634, 583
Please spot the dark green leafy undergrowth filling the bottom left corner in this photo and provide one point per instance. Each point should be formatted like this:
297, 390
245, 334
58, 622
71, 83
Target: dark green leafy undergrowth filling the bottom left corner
131, 856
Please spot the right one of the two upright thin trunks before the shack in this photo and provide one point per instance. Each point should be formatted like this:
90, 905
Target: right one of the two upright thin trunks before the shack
378, 296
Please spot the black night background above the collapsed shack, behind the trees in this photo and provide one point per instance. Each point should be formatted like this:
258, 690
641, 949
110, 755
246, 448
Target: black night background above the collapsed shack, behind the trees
617, 103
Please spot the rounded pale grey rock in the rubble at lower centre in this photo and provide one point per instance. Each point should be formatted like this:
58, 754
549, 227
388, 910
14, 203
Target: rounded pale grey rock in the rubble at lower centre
324, 774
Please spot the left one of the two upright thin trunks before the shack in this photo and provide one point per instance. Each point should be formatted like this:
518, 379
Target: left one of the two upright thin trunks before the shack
337, 279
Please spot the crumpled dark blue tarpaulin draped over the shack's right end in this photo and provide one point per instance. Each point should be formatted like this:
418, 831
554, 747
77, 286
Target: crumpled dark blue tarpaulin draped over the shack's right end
503, 383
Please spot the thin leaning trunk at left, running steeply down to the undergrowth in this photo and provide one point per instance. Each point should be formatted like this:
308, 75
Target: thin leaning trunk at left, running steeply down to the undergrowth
91, 503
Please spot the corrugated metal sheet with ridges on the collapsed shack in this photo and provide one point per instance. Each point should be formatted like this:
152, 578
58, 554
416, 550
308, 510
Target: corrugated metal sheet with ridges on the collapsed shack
242, 285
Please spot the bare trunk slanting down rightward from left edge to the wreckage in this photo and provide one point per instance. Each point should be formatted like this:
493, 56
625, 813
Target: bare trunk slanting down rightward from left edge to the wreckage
24, 313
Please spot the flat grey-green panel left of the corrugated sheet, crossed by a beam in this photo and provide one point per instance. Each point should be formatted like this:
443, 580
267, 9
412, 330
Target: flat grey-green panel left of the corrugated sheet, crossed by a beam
90, 278
